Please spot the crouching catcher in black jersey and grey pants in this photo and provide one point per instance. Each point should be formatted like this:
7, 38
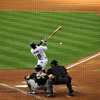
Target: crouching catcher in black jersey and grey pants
35, 81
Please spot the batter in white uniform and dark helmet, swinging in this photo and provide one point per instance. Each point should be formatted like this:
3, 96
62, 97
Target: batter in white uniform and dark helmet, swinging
39, 52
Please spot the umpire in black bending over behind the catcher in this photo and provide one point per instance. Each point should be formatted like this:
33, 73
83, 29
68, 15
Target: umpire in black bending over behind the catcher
60, 77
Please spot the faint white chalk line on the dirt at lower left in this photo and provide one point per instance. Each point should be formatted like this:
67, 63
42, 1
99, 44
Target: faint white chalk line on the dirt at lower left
19, 90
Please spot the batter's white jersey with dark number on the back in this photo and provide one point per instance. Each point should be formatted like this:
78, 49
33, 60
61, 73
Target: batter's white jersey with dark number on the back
39, 53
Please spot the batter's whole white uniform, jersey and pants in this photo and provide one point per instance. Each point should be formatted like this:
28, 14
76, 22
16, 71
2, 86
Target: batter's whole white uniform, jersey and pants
39, 53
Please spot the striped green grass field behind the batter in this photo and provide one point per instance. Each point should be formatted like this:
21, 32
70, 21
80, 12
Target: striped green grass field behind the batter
80, 36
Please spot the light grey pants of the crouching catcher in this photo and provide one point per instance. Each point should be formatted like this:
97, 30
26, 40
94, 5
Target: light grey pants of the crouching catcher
33, 85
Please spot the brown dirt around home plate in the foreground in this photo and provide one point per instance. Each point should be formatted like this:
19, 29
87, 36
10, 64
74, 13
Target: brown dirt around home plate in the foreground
86, 82
